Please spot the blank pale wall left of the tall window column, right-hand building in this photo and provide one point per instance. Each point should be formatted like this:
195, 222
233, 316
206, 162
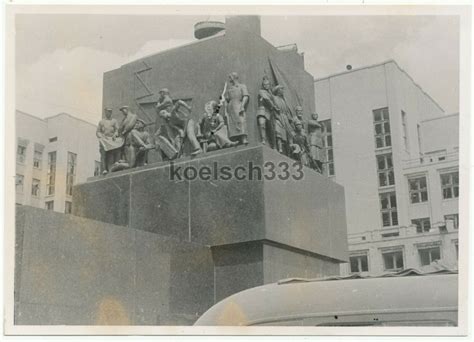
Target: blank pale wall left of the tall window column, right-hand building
348, 100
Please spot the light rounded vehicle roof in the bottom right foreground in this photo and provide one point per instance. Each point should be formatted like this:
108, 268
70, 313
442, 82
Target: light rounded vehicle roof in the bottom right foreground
297, 297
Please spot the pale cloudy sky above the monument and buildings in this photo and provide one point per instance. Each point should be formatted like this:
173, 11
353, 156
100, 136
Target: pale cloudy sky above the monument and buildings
61, 58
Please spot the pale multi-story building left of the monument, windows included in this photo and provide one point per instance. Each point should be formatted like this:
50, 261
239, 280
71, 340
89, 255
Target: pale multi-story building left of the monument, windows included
52, 155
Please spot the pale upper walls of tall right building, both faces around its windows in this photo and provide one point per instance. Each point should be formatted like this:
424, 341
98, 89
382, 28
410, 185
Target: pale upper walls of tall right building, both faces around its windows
348, 99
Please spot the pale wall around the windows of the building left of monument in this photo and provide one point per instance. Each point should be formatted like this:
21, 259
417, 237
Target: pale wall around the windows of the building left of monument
61, 133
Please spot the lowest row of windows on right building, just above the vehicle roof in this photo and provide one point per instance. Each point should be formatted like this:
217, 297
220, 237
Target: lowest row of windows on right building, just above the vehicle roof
393, 259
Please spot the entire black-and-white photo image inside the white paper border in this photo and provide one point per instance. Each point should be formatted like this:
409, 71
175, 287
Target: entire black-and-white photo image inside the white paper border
236, 170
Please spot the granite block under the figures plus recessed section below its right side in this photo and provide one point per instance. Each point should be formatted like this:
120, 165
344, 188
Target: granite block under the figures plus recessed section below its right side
259, 229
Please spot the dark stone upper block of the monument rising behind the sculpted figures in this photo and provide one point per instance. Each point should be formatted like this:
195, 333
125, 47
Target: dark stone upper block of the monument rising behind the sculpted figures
196, 73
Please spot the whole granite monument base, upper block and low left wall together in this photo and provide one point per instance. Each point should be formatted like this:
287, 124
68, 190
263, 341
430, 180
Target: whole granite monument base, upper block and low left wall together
143, 248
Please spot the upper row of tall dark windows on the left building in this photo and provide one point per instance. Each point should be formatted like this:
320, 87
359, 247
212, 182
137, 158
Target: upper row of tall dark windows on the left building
51, 176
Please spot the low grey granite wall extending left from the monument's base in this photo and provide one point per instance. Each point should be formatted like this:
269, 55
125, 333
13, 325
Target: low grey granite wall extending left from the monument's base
75, 271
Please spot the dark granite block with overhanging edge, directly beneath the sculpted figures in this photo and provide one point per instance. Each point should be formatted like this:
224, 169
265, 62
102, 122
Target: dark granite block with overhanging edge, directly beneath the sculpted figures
308, 213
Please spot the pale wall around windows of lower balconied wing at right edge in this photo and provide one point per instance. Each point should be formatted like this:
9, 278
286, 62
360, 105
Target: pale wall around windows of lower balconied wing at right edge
442, 232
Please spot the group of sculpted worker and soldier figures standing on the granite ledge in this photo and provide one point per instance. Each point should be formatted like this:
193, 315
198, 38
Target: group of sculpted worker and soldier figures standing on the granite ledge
223, 124
